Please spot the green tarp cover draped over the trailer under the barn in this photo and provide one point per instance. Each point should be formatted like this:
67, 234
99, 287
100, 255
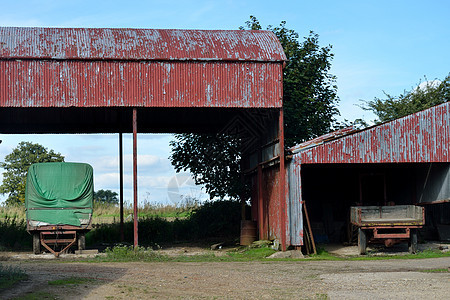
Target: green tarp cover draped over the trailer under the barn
59, 193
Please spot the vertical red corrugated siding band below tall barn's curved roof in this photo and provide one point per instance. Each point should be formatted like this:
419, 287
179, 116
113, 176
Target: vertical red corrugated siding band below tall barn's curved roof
31, 83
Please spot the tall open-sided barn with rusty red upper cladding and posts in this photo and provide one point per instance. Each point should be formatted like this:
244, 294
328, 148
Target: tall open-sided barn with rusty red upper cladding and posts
101, 80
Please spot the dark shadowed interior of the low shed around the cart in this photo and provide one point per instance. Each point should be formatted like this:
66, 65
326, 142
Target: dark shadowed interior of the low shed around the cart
330, 189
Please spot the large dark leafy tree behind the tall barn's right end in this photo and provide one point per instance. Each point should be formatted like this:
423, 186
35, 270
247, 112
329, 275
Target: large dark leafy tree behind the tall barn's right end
309, 108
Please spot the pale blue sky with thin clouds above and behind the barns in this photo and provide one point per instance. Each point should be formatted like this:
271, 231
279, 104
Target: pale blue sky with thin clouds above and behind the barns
379, 47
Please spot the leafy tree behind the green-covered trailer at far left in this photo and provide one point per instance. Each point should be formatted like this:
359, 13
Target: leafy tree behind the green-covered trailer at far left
16, 166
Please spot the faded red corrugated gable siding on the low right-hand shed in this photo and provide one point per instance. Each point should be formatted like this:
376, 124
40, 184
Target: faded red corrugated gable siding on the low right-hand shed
420, 137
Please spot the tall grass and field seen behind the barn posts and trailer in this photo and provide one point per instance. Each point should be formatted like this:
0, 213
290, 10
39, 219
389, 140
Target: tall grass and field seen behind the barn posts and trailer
158, 223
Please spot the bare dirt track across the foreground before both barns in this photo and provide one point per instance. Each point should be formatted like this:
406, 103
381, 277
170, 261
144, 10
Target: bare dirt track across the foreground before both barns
386, 279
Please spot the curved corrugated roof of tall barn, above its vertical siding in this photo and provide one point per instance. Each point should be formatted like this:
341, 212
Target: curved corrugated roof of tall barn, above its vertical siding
139, 44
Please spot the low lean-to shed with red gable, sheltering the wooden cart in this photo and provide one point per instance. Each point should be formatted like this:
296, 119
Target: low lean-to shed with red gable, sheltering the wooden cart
405, 161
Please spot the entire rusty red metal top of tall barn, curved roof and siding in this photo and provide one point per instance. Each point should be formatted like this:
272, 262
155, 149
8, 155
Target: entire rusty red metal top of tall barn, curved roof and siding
82, 67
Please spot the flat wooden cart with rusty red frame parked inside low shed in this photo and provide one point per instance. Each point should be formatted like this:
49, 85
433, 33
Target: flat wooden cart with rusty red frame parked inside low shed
387, 224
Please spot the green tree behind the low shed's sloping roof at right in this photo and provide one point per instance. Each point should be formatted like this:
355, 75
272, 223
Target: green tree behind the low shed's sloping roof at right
427, 94
